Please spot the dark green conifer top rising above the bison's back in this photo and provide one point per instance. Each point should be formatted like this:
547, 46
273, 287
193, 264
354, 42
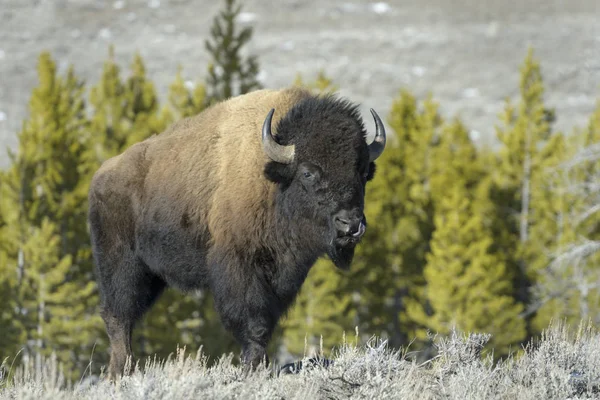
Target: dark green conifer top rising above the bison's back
229, 74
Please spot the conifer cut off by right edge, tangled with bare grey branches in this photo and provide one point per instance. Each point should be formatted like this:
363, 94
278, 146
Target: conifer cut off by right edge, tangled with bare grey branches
568, 283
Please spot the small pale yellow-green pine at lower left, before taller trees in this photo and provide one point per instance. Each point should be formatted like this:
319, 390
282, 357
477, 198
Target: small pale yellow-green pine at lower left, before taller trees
58, 319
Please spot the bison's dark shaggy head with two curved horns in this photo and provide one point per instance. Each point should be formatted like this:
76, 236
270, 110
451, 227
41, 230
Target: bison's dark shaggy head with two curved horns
322, 162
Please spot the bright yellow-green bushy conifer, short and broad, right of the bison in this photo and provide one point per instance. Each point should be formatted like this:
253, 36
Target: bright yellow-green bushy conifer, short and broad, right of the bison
467, 284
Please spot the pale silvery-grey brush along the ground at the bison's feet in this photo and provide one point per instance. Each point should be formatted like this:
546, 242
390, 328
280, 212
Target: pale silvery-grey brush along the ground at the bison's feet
561, 365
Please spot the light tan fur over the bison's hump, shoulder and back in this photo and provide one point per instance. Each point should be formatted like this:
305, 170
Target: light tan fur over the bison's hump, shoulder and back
208, 166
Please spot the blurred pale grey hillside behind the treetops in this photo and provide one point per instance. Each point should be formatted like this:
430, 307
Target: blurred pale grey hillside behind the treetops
465, 52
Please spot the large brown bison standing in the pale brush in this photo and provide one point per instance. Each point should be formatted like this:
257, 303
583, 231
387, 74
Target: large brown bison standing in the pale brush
241, 200
